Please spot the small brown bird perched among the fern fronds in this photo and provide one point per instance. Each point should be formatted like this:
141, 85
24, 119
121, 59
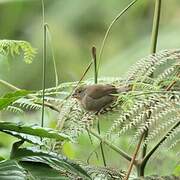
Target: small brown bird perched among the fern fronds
96, 97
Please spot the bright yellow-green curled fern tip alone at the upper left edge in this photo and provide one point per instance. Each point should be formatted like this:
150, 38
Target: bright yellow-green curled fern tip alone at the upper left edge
14, 47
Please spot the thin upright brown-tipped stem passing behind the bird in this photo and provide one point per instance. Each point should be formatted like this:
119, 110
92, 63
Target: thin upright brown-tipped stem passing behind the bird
95, 81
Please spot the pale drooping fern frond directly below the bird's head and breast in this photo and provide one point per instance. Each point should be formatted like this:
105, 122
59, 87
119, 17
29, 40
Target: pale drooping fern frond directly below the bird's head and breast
72, 121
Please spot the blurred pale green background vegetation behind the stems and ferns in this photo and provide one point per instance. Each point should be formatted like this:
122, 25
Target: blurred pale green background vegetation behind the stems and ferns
76, 26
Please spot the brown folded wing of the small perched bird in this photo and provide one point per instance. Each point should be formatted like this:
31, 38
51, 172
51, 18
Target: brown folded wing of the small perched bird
98, 91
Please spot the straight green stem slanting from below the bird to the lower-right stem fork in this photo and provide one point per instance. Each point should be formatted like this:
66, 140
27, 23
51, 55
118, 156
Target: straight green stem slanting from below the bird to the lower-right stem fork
113, 147
